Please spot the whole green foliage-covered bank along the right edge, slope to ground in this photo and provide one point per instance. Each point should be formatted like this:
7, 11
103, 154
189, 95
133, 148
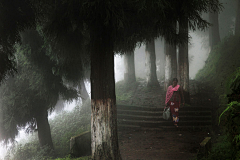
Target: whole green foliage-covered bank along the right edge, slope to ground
224, 54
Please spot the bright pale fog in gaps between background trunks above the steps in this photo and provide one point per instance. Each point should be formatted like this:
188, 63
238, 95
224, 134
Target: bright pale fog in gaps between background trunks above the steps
198, 53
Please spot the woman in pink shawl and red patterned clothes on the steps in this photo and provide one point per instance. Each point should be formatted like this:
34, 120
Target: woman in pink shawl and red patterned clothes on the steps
173, 100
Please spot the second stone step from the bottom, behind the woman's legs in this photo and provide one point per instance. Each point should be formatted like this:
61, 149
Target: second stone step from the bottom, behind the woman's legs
158, 118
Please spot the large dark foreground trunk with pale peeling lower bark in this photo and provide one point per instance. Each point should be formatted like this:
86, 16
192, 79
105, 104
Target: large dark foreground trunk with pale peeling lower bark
103, 99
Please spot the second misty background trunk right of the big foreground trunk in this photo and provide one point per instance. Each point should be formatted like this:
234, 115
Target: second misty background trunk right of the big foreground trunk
151, 64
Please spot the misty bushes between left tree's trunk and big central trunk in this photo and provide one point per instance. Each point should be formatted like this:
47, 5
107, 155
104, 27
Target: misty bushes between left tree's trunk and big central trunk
68, 124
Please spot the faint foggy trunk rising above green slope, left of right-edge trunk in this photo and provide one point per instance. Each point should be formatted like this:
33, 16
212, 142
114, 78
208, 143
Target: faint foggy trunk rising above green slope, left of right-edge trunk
214, 35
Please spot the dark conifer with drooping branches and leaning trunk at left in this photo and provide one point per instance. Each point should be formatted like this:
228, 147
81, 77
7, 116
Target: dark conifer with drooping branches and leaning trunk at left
27, 97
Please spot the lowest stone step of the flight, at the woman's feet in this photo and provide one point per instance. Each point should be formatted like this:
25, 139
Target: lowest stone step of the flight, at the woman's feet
157, 124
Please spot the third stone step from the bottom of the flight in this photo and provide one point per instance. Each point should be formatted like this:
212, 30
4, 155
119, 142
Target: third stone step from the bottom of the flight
159, 113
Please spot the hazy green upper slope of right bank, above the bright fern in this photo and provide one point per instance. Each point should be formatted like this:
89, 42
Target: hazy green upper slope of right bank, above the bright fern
220, 65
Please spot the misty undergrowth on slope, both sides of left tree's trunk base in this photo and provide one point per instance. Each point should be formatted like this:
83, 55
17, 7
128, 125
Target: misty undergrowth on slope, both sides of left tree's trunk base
64, 126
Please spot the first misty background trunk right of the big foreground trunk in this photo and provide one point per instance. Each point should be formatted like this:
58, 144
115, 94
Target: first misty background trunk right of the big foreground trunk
129, 75
